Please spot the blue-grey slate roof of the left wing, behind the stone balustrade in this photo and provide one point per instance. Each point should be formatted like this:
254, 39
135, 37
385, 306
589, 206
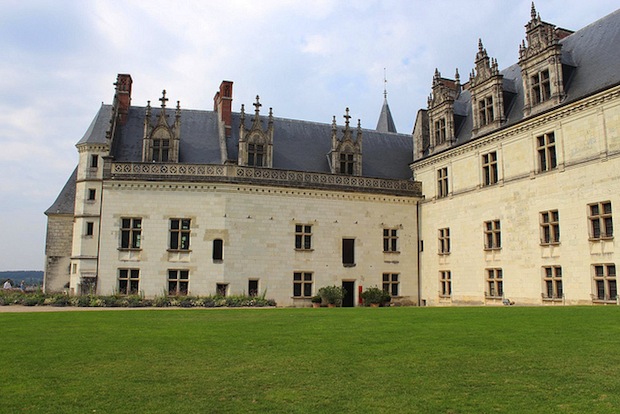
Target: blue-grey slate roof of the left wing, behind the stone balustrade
297, 145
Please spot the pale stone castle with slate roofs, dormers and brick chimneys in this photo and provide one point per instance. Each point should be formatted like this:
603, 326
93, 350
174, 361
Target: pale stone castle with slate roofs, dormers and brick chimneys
504, 193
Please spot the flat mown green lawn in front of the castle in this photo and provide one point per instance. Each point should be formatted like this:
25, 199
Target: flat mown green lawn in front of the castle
427, 360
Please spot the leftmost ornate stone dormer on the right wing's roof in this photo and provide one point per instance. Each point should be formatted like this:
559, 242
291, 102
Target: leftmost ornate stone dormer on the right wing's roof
441, 111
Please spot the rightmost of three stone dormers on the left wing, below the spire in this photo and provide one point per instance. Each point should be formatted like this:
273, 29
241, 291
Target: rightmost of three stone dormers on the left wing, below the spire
346, 153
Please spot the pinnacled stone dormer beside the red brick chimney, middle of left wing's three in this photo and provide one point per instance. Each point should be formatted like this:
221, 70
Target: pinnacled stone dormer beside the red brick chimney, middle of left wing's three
256, 144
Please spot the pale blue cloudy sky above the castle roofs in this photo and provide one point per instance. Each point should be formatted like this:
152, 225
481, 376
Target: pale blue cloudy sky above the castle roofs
307, 60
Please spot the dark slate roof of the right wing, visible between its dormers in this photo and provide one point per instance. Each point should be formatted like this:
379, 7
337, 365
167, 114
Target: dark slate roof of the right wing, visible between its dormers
591, 58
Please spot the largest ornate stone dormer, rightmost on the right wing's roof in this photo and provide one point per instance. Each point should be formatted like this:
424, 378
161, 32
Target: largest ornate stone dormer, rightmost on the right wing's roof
541, 66
